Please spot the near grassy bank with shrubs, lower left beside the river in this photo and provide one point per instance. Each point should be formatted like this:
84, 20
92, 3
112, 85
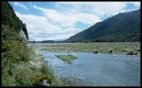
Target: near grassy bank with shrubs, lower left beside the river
27, 70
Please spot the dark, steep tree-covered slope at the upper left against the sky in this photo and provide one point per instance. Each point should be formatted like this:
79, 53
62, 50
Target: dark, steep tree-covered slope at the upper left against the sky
10, 19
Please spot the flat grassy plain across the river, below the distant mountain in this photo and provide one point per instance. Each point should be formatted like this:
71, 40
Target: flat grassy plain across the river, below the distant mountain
103, 47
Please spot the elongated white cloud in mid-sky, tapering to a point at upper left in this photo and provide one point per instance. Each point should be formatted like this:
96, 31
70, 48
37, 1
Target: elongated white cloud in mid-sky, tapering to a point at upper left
68, 18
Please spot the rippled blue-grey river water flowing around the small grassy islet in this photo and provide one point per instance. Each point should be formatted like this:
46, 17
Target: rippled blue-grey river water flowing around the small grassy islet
98, 69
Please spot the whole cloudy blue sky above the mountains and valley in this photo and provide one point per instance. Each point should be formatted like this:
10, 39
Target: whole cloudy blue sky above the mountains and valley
61, 20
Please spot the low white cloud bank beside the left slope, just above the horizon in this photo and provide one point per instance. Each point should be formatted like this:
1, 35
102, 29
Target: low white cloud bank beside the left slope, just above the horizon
40, 28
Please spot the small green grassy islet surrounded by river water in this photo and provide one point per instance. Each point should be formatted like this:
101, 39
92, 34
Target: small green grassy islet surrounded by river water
68, 58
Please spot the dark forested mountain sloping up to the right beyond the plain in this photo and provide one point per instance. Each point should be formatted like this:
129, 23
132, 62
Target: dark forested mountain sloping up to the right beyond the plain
123, 27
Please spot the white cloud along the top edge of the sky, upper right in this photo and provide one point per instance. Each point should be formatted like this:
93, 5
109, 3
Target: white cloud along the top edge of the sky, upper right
98, 8
